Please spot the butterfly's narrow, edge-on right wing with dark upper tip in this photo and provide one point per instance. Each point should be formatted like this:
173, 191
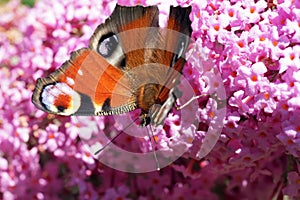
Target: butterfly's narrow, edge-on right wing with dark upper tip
177, 38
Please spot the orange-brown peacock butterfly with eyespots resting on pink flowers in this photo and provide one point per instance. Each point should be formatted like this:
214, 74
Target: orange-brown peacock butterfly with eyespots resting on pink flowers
131, 63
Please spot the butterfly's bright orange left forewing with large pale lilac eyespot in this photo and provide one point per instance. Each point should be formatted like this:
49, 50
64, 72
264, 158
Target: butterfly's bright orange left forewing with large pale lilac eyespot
75, 89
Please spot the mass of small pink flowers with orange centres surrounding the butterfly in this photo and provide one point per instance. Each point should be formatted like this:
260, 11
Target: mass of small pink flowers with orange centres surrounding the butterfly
253, 47
